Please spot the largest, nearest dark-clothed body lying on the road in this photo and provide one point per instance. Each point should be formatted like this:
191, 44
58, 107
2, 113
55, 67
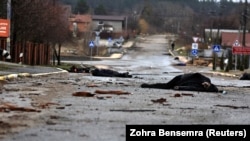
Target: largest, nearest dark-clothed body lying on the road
188, 82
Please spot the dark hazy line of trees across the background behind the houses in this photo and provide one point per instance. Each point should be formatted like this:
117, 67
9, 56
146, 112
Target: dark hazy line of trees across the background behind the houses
187, 16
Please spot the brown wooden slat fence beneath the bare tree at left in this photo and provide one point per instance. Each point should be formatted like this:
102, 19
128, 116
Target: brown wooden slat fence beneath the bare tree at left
28, 53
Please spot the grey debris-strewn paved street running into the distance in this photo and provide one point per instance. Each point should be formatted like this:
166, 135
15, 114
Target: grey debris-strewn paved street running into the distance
103, 117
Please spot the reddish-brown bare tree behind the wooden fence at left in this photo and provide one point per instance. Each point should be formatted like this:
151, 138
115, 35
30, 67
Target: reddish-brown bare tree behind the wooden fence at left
40, 21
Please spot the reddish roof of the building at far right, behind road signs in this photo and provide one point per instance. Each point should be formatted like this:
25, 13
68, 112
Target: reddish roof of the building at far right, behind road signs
228, 39
